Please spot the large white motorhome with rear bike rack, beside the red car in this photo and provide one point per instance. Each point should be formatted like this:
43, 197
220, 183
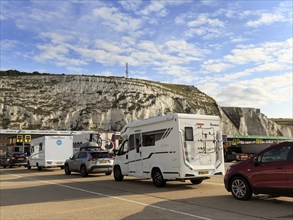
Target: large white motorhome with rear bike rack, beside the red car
171, 147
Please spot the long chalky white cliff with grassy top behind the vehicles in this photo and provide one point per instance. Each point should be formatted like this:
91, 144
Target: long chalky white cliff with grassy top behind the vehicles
47, 101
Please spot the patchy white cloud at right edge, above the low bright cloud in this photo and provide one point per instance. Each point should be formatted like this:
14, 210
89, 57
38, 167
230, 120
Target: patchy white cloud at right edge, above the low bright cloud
265, 57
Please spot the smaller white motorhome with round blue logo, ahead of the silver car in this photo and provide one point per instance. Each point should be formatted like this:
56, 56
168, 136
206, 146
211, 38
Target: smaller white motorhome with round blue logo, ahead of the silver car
50, 151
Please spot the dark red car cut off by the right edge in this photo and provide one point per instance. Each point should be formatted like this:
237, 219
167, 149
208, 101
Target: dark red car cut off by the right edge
268, 172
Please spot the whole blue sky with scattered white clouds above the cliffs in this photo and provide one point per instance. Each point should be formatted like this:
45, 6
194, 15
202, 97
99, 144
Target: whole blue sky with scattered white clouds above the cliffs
238, 52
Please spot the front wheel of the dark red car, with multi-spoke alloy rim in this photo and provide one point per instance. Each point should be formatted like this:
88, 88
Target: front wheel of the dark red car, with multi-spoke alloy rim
240, 188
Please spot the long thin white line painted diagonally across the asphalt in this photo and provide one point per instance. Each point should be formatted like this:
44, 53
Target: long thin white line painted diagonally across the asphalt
113, 197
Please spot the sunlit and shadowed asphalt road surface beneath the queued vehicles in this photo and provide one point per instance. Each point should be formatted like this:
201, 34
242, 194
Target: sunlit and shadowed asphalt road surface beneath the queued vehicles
50, 194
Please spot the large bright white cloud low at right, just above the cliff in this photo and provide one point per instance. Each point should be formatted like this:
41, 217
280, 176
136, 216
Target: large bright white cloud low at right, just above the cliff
252, 93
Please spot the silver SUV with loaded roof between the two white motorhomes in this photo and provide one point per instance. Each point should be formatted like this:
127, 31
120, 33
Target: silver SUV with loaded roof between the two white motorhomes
89, 161
